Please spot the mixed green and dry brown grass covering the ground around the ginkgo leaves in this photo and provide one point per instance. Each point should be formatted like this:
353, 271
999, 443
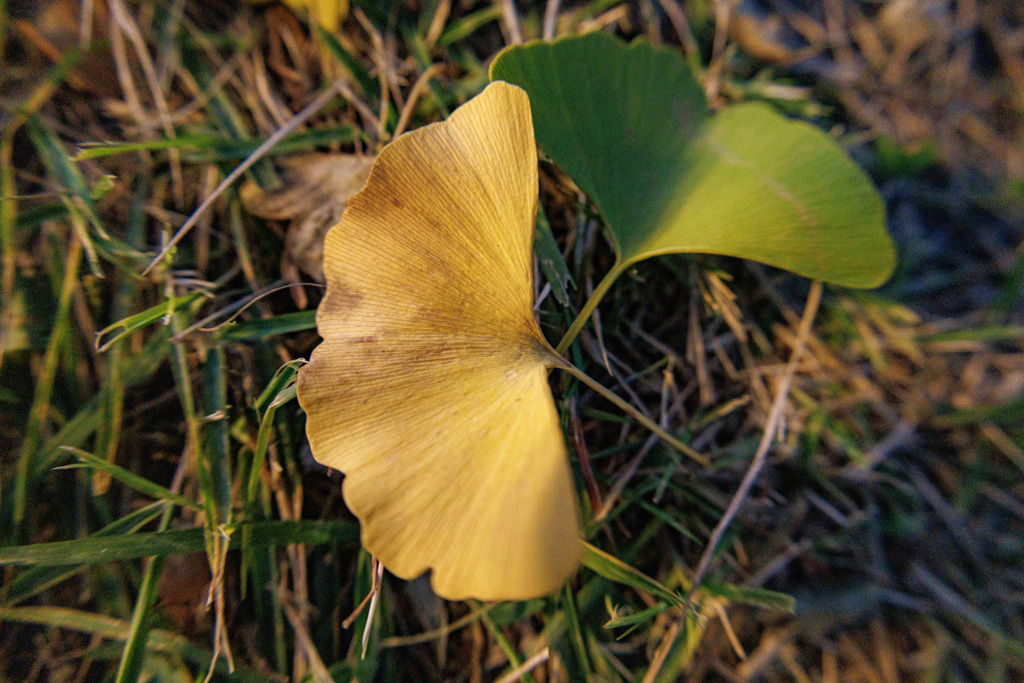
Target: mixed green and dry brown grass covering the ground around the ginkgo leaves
161, 517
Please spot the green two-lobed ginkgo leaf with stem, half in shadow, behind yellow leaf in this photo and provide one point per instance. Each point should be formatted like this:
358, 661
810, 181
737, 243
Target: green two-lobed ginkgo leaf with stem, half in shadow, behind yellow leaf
631, 126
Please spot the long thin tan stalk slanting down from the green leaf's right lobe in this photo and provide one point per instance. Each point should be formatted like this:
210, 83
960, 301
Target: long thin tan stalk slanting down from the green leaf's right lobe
775, 418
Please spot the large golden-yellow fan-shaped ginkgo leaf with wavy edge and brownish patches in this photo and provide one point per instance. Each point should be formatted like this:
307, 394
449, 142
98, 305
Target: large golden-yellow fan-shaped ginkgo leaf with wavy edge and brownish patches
431, 391
